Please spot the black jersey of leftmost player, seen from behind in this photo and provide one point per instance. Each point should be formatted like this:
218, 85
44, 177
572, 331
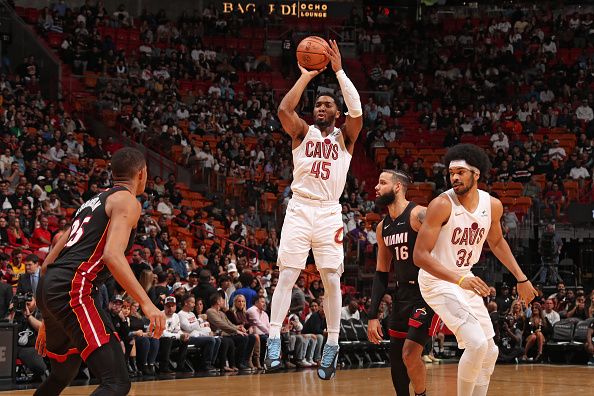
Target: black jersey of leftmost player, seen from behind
88, 234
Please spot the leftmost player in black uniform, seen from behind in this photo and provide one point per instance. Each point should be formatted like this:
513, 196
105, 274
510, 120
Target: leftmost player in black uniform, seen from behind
75, 328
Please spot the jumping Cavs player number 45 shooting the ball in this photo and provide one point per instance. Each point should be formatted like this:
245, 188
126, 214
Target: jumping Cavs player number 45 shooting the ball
321, 158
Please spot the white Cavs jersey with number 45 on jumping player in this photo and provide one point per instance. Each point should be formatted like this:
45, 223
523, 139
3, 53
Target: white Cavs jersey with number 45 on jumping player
320, 165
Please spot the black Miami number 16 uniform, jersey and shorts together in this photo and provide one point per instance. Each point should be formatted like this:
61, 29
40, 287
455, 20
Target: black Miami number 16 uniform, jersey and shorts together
411, 317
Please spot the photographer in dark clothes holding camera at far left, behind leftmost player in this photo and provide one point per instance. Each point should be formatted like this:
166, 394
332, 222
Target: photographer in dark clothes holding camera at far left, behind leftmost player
25, 314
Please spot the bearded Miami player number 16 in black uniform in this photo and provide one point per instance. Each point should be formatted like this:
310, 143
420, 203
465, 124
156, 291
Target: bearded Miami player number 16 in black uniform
411, 321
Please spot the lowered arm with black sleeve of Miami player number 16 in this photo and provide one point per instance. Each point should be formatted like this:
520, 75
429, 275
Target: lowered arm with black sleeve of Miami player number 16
379, 287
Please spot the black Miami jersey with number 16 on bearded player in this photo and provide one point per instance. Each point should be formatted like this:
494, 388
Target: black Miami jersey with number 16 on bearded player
400, 238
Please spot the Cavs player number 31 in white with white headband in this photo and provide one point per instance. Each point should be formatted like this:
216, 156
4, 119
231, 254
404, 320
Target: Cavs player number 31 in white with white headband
449, 243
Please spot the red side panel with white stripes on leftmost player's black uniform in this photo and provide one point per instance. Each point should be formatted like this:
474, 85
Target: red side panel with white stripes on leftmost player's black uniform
82, 303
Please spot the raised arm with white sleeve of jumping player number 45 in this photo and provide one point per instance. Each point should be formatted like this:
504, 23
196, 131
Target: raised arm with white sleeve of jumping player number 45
354, 119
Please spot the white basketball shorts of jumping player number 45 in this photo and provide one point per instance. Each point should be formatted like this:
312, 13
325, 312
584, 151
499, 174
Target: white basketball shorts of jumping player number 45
316, 225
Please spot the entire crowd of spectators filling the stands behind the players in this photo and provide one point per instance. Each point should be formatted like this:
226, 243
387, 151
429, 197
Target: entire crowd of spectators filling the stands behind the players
503, 79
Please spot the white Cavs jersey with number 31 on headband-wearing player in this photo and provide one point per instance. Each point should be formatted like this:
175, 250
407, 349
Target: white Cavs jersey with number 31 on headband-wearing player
461, 239
